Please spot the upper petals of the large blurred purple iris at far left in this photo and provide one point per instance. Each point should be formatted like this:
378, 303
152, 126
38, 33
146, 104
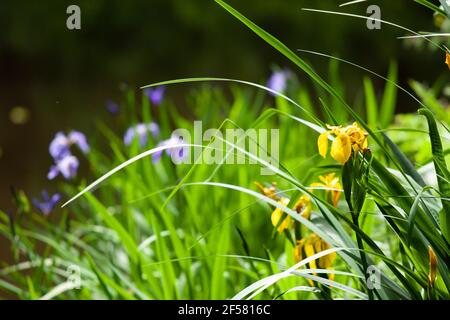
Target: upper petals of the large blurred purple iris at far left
60, 145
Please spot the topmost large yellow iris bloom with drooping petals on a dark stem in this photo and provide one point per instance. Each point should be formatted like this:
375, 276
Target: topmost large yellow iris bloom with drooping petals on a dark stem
346, 139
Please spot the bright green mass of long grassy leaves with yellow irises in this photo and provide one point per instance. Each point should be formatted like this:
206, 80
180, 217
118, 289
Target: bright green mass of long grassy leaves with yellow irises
155, 230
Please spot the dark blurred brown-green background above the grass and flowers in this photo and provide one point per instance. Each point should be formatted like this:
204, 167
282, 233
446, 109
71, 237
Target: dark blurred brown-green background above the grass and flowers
63, 78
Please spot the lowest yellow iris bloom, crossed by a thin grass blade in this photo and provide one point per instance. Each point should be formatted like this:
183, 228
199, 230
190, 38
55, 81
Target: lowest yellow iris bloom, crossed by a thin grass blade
311, 245
